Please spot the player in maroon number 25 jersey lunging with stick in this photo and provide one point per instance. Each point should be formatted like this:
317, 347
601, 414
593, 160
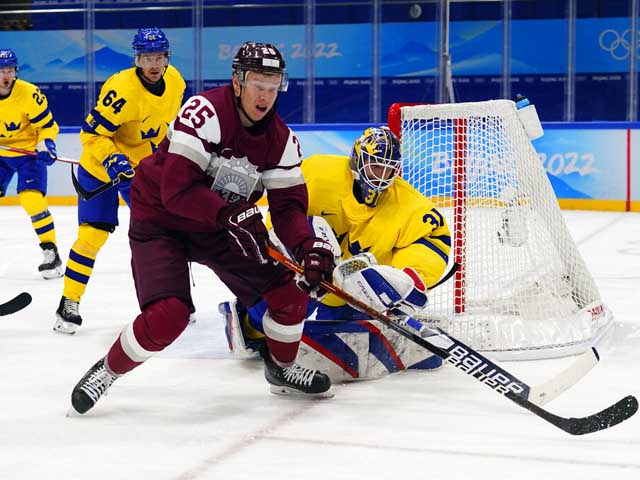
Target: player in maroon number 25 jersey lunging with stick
193, 200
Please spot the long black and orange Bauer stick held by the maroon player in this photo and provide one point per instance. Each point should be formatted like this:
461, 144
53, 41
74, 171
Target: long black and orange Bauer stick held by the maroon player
482, 369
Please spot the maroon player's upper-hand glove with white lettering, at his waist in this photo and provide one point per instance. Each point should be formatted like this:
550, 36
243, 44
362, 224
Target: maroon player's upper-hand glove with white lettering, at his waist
244, 223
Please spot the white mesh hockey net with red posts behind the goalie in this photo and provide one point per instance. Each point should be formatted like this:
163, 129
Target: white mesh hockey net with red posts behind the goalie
522, 290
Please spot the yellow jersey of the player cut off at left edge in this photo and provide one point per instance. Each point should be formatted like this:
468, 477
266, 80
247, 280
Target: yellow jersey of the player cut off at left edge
25, 118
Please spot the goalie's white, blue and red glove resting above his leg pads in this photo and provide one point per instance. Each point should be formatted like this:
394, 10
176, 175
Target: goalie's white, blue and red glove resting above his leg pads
384, 288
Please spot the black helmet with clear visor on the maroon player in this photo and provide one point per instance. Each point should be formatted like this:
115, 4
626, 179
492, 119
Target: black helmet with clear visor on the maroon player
262, 58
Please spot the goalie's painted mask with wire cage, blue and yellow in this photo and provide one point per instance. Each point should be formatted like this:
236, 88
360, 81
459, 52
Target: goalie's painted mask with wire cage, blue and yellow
375, 163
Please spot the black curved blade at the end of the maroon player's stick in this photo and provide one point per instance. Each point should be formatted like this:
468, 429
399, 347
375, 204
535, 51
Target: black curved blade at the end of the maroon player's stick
610, 416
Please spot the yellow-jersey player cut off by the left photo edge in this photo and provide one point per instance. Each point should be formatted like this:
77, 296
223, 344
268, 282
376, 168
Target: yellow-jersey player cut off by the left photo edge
27, 123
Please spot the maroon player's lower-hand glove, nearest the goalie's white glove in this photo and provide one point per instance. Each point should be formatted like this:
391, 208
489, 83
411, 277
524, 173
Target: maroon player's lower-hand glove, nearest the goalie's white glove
316, 256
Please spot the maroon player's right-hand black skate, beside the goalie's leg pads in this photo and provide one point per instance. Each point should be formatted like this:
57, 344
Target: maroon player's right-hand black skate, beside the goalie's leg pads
295, 380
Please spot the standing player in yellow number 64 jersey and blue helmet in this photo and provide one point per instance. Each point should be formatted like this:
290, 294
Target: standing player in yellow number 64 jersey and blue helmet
128, 122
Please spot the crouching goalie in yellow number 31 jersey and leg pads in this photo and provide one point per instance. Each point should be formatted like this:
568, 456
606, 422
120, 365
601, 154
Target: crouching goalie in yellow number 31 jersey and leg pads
393, 243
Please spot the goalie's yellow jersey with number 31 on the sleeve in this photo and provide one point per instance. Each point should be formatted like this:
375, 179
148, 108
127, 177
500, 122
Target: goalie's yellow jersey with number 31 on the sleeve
403, 230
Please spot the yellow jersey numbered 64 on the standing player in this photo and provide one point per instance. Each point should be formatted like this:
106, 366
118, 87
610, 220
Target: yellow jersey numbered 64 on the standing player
128, 119
